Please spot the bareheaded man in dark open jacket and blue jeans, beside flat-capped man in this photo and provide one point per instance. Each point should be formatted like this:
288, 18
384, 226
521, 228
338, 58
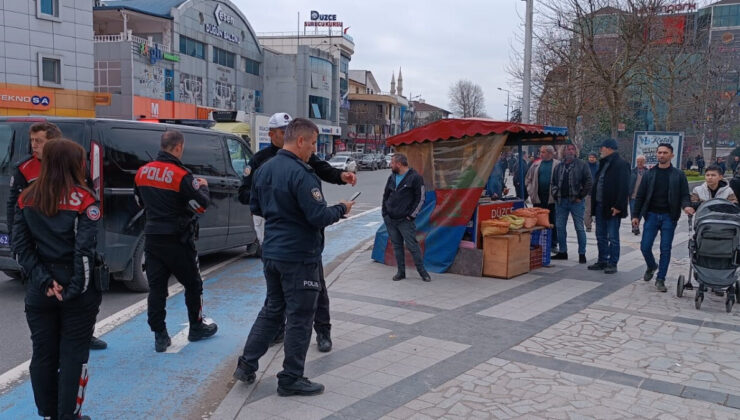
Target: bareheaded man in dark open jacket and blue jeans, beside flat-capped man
571, 183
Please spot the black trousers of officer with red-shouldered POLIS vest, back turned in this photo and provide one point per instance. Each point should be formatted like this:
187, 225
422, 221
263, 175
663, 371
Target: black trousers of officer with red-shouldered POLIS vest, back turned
165, 256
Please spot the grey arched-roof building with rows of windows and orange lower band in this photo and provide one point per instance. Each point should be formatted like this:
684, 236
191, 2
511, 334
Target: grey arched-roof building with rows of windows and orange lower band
176, 59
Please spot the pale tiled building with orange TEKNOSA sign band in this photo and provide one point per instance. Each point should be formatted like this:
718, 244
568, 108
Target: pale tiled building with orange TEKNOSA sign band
46, 58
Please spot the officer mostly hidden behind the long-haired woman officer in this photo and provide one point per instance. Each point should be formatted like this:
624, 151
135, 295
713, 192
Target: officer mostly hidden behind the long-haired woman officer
27, 171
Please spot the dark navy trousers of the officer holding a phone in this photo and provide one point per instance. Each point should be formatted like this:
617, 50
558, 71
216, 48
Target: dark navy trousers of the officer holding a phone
292, 292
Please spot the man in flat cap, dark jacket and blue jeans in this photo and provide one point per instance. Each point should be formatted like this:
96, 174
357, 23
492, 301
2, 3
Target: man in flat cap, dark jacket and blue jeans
609, 197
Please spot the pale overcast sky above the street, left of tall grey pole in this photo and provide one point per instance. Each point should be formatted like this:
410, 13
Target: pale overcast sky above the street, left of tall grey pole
435, 42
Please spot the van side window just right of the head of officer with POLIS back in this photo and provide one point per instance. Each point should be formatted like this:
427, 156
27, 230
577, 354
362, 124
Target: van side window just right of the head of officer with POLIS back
204, 154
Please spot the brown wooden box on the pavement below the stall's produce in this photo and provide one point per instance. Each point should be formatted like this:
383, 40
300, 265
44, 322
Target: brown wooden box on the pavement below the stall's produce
506, 256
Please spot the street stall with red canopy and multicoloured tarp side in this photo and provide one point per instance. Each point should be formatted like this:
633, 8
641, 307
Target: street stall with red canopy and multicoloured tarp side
455, 157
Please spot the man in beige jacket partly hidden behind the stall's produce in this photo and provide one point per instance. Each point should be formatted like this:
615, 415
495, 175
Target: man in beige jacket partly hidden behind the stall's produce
539, 183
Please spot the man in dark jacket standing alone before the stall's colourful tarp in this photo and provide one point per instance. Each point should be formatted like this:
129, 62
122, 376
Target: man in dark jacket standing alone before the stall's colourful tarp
402, 200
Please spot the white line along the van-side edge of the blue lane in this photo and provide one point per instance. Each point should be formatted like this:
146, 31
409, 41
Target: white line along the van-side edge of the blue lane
14, 375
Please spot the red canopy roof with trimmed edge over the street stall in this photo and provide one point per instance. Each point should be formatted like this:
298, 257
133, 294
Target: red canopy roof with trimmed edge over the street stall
453, 128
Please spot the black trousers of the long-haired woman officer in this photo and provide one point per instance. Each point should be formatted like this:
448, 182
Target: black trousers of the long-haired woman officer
60, 334
